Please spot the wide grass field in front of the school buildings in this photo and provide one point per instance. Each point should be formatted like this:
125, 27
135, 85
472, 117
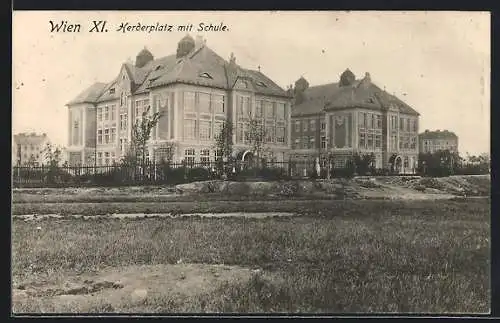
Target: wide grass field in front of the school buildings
338, 256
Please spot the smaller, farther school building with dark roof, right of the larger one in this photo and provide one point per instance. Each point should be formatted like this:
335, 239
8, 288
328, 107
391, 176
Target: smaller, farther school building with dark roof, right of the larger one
353, 116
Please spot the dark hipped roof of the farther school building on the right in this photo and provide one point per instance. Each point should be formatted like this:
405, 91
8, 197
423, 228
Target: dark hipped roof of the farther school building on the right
361, 94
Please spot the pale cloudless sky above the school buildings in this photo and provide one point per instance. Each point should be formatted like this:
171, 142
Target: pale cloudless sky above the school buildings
437, 62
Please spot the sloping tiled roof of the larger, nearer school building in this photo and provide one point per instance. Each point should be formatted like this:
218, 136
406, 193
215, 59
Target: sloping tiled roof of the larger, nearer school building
200, 67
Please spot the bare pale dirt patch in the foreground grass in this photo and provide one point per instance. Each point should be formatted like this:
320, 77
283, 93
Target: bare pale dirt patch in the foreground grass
124, 288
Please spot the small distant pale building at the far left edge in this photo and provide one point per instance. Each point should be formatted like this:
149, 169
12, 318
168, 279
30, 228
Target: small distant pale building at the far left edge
27, 149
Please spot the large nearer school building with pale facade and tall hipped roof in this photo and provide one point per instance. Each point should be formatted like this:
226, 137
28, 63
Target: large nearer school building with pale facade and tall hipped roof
195, 90
